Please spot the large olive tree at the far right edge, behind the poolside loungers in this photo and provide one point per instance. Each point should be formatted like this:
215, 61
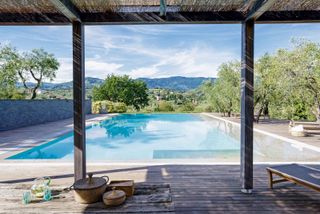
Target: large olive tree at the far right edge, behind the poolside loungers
300, 80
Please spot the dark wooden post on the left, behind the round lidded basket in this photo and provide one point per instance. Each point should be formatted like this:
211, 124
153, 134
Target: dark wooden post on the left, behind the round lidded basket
79, 101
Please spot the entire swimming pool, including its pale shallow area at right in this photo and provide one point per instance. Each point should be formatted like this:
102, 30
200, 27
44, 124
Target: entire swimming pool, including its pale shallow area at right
167, 136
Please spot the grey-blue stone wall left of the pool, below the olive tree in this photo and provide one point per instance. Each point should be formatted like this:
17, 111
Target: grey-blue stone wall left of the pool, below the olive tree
19, 113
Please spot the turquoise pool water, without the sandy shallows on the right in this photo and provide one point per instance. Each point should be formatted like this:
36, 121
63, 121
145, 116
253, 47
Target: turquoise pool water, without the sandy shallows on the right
143, 137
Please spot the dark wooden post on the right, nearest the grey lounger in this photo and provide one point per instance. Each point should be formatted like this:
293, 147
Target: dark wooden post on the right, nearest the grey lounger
247, 114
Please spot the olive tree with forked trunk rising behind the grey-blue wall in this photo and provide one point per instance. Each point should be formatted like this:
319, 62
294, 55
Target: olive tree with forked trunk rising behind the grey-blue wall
36, 66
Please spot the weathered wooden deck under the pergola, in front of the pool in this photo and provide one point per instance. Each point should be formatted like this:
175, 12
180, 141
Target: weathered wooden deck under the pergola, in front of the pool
194, 189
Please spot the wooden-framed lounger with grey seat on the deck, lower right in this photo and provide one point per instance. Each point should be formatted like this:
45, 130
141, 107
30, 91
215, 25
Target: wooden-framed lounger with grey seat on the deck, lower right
296, 173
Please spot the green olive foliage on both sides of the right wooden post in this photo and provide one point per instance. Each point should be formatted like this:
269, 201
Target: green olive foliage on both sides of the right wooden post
287, 84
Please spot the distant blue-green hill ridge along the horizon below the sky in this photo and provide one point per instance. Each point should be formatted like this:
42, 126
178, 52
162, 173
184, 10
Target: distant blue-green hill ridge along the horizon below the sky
173, 83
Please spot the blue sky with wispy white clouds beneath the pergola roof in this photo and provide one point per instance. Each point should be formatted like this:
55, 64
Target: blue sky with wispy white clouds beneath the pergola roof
154, 50
